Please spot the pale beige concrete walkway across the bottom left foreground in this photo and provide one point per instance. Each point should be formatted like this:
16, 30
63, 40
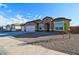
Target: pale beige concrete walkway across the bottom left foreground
9, 46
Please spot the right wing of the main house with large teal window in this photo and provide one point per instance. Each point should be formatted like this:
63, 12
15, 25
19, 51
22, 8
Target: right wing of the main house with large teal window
61, 24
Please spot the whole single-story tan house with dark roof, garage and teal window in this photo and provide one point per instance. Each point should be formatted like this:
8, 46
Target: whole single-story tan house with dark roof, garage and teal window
47, 24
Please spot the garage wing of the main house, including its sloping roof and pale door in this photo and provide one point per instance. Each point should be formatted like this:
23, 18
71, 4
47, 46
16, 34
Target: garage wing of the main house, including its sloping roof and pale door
32, 26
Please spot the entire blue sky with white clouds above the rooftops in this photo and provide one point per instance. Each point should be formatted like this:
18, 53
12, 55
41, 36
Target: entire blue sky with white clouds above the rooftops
23, 12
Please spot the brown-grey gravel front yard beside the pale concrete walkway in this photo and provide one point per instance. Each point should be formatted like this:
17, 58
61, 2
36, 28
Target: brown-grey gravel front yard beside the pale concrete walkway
53, 42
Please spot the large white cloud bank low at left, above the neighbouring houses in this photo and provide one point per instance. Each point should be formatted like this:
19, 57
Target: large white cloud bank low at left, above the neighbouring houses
17, 19
